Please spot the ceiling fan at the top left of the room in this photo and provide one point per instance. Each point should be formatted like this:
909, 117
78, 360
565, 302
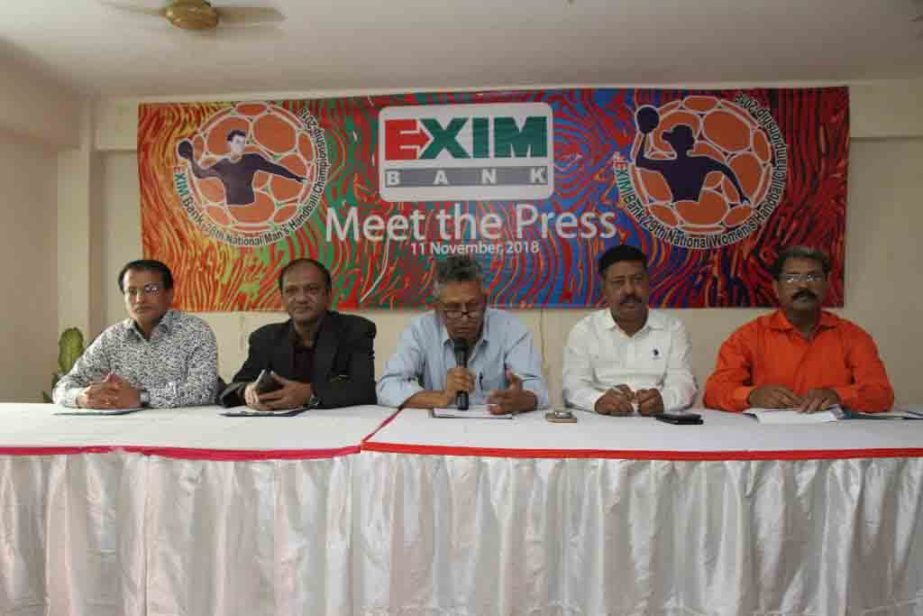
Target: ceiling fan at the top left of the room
202, 15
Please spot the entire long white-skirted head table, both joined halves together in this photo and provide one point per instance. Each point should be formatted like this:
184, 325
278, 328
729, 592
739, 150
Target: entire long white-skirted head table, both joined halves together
361, 511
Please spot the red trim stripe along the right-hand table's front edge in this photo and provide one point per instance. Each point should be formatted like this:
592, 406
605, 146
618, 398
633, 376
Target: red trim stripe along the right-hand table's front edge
642, 454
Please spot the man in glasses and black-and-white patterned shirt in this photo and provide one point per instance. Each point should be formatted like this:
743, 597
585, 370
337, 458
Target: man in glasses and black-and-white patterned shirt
159, 357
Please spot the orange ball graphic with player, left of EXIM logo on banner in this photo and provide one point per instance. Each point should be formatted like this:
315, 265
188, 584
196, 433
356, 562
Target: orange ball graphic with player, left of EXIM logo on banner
256, 166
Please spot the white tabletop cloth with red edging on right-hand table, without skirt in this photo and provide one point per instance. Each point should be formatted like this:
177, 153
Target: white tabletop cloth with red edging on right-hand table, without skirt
722, 436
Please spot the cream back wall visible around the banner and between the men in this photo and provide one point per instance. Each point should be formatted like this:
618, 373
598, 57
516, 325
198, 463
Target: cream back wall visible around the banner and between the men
883, 269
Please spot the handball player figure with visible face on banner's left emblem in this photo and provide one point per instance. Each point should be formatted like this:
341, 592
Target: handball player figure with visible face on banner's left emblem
236, 170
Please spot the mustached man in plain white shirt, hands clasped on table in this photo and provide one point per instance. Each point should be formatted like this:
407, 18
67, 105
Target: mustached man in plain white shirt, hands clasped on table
627, 357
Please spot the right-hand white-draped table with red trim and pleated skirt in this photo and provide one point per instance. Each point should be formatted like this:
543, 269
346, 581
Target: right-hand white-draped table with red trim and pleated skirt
634, 516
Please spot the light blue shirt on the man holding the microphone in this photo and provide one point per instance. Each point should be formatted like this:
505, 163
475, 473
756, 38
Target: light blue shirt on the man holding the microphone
425, 353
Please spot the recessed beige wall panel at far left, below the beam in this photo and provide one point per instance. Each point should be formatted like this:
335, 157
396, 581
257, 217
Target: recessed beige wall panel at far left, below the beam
28, 254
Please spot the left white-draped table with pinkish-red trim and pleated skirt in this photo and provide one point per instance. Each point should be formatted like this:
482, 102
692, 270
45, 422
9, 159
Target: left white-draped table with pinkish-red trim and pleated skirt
177, 511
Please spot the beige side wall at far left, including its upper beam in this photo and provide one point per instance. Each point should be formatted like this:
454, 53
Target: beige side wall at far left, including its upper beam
38, 121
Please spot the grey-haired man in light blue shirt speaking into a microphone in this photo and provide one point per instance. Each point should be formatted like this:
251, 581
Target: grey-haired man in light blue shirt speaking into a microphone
503, 369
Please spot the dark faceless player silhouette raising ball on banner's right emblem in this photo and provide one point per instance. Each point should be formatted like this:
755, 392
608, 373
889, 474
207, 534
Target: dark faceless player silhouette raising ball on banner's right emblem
685, 174
